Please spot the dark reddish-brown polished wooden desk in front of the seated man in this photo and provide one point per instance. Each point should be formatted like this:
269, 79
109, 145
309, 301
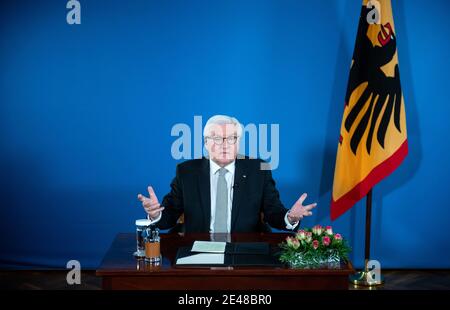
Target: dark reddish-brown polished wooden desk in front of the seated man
120, 270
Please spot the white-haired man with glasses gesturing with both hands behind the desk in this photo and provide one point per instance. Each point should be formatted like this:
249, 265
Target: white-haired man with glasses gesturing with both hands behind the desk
225, 193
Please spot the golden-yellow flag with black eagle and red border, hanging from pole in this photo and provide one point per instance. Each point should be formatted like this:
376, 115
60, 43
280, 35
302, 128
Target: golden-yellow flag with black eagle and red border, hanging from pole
373, 141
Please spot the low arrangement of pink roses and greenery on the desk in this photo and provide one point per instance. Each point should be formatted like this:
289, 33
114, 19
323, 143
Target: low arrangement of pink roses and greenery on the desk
314, 248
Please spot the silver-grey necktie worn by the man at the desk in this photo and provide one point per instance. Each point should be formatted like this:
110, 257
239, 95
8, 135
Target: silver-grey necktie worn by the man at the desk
221, 217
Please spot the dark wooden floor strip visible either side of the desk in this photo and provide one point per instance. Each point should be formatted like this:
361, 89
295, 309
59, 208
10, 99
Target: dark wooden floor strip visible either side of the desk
56, 280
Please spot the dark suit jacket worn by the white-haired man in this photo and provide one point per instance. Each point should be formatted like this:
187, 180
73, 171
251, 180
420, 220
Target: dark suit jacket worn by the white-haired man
254, 192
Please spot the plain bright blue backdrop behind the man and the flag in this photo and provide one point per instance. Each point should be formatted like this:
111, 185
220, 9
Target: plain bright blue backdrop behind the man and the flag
86, 113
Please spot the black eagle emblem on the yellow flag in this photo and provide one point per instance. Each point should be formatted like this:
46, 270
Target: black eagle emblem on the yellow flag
367, 62
